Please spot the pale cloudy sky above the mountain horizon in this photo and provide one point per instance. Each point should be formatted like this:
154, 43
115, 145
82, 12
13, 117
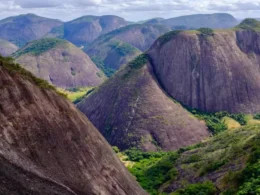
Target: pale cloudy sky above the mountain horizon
132, 10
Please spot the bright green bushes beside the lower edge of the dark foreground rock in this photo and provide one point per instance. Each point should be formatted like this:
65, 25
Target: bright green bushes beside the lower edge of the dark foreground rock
152, 169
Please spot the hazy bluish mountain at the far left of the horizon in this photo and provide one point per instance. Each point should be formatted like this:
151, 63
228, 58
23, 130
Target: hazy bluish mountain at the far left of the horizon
24, 28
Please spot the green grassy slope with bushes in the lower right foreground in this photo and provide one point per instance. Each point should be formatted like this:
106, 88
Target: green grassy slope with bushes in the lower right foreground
231, 160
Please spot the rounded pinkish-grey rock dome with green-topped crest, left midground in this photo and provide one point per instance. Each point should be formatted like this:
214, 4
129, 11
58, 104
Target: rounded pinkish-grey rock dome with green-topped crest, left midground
60, 63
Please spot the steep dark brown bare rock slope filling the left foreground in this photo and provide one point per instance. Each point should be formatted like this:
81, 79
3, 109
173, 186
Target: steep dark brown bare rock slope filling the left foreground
43, 129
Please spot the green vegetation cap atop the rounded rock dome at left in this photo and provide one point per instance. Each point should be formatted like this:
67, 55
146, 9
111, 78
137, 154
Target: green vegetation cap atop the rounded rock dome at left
40, 46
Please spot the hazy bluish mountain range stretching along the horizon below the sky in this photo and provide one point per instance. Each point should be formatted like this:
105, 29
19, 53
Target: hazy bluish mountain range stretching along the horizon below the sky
109, 40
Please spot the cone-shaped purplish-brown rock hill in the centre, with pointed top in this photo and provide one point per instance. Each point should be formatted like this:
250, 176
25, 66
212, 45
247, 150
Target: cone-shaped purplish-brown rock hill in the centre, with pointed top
131, 110
